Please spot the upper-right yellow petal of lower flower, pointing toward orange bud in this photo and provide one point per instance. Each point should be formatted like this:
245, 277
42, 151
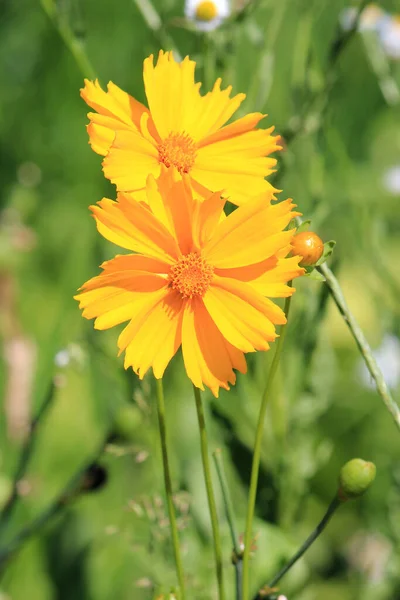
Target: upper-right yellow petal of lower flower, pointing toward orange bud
249, 243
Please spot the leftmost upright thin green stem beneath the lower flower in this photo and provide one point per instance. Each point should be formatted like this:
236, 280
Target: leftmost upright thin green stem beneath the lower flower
168, 487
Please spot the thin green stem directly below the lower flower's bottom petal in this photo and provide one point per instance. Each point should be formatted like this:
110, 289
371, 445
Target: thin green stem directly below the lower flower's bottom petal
210, 492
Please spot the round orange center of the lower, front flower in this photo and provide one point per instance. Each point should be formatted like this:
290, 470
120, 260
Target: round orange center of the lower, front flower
191, 275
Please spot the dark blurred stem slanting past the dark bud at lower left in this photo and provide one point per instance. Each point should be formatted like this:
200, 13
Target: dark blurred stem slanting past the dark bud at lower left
73, 487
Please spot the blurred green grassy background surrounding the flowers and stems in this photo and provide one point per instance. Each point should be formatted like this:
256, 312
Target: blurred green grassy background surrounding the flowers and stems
340, 115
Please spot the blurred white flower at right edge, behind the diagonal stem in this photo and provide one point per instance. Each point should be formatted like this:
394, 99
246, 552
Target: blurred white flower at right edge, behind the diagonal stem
388, 358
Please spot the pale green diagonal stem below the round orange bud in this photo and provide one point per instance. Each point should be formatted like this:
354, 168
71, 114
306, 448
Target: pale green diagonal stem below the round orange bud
362, 343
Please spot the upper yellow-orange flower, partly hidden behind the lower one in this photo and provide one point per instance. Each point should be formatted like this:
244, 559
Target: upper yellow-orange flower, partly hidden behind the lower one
182, 129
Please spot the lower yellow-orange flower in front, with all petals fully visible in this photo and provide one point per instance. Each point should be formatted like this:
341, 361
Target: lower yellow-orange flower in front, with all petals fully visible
196, 279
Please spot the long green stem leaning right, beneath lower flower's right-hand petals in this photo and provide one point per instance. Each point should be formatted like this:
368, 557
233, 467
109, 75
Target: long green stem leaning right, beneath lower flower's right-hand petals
257, 454
